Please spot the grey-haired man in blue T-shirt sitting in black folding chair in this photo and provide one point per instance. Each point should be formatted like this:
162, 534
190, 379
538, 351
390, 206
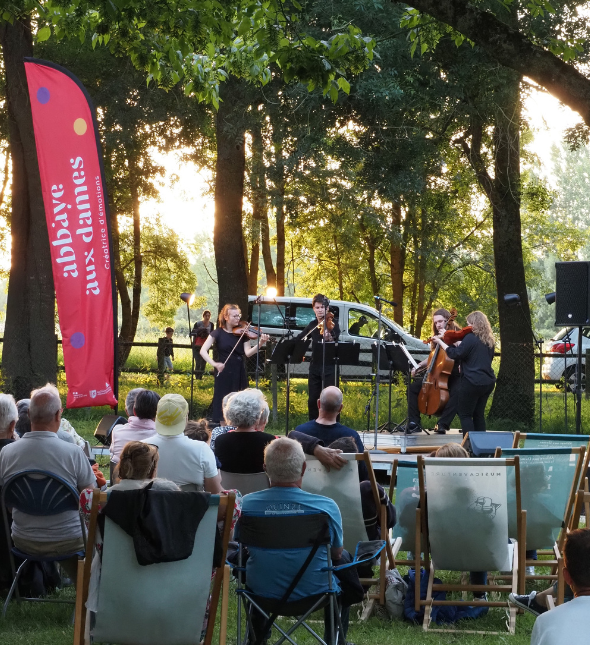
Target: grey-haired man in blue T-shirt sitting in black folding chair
270, 572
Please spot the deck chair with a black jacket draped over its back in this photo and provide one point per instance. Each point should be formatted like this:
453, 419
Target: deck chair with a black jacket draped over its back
159, 604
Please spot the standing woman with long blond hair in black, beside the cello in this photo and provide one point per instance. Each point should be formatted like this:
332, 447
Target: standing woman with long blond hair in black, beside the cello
476, 353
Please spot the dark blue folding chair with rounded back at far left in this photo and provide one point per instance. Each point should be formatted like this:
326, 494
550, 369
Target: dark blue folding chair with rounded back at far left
39, 493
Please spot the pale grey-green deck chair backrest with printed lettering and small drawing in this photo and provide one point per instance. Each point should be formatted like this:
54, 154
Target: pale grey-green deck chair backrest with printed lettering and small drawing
467, 513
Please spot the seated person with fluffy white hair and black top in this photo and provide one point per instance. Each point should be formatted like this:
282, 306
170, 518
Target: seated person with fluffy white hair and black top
242, 449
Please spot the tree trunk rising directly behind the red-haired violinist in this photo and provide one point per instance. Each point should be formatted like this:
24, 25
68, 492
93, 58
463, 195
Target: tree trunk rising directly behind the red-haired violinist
228, 239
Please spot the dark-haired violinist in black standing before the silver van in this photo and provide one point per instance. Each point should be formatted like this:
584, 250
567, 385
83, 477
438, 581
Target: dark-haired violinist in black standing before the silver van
316, 374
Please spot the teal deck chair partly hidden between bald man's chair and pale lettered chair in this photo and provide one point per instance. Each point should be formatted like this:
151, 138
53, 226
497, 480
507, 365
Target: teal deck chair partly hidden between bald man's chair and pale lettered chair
404, 483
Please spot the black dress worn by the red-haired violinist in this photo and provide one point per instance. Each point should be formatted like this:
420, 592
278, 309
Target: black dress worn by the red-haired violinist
233, 378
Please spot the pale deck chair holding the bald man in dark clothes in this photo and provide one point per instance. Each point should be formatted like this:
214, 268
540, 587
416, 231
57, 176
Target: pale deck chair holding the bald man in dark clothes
343, 487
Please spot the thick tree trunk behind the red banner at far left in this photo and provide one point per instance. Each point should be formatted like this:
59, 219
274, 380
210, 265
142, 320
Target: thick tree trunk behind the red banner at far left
29, 351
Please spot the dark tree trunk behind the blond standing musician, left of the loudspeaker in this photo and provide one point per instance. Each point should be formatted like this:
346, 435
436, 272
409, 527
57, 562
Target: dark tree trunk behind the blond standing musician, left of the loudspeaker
514, 398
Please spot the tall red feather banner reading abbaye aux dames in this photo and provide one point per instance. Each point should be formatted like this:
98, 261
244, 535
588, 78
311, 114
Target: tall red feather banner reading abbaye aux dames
76, 209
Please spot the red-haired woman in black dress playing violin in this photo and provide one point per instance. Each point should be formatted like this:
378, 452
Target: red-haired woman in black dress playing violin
232, 347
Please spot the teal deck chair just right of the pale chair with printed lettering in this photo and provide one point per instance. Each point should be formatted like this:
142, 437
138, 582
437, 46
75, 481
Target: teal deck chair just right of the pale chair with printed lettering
549, 479
